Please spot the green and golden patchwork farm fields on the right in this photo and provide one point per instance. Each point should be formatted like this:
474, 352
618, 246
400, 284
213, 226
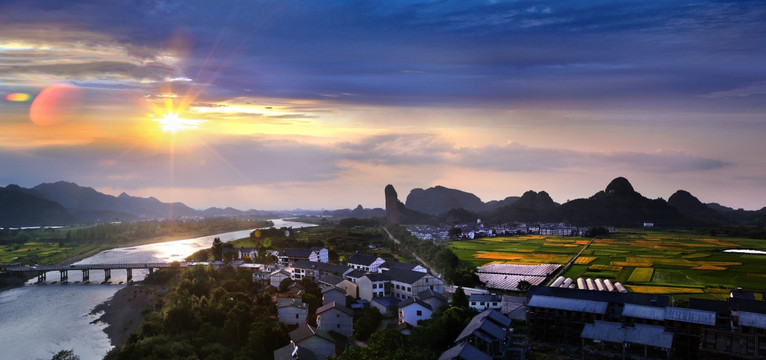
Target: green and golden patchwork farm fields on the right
644, 261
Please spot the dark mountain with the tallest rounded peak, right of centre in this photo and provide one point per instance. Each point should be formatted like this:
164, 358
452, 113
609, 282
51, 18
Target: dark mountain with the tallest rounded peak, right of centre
620, 205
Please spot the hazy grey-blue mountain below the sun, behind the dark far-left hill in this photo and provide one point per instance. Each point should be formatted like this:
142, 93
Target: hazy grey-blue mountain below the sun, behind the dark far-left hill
86, 200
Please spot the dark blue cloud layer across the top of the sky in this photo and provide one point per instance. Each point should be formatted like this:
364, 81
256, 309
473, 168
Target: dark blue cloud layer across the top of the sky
427, 52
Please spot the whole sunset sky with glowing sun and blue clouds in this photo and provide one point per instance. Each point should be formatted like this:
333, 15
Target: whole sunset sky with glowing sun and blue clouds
320, 104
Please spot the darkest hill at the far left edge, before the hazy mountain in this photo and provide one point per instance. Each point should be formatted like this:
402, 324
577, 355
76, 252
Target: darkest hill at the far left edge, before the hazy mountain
25, 207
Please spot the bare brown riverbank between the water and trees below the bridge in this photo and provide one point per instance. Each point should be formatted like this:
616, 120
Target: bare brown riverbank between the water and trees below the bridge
124, 312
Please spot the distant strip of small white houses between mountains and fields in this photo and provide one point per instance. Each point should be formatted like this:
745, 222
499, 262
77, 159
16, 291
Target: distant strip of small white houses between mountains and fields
479, 230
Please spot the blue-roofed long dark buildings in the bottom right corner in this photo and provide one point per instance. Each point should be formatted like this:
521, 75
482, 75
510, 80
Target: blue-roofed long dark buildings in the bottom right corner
613, 324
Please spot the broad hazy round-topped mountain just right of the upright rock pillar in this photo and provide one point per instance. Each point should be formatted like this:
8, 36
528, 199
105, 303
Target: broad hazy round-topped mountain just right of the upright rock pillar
439, 200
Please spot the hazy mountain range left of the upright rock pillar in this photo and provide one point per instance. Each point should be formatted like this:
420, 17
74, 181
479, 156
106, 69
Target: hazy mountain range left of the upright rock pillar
64, 203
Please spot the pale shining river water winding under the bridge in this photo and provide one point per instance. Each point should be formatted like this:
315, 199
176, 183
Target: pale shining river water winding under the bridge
39, 320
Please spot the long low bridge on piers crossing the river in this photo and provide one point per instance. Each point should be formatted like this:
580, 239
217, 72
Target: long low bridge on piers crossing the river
86, 268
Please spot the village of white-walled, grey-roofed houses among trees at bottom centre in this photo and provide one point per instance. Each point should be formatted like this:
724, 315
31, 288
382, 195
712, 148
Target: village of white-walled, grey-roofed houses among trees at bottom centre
403, 293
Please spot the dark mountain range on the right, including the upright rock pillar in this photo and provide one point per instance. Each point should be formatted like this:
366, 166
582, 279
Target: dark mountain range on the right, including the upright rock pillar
618, 205
